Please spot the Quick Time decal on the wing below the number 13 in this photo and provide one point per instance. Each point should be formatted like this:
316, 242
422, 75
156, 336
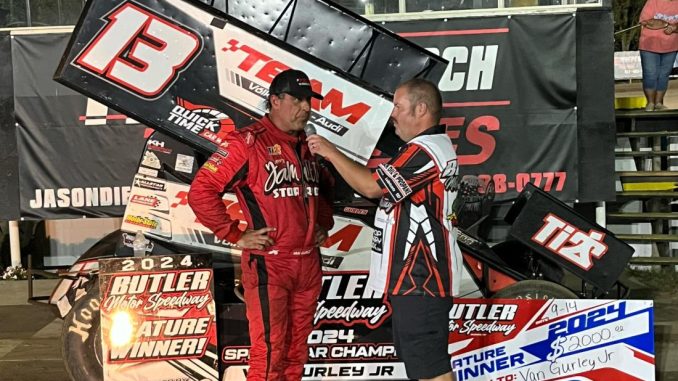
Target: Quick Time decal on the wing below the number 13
201, 120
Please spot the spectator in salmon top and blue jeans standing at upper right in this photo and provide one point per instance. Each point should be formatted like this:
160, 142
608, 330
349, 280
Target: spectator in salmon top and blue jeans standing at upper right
658, 46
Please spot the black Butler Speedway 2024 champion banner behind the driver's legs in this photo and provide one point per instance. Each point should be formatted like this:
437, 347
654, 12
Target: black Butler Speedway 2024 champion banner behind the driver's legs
351, 340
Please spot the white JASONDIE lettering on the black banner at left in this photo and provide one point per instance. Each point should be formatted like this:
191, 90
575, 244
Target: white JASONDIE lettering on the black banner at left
79, 197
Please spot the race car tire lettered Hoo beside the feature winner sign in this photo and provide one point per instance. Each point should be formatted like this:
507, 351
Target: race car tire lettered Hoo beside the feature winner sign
81, 338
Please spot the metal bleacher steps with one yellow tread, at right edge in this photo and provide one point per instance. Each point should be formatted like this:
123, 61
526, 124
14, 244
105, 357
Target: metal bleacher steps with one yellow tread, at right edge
645, 213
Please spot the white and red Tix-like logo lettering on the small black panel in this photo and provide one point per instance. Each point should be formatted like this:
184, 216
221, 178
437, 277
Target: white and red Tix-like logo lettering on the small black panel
571, 243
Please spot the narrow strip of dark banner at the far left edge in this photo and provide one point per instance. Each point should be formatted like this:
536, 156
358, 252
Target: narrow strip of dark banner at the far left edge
9, 176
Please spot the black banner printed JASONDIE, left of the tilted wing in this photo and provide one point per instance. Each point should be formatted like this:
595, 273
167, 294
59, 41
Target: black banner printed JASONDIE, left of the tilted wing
76, 158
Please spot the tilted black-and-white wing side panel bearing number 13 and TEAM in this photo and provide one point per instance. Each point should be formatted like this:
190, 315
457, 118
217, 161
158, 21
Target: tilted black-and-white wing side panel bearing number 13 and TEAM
206, 58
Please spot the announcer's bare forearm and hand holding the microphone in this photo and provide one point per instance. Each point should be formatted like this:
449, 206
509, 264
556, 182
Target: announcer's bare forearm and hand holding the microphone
356, 175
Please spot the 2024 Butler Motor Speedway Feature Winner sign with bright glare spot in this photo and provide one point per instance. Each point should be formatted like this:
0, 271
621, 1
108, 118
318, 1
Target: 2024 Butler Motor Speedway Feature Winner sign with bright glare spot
158, 318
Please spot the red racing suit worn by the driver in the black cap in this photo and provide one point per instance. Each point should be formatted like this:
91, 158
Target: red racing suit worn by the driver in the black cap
278, 184
